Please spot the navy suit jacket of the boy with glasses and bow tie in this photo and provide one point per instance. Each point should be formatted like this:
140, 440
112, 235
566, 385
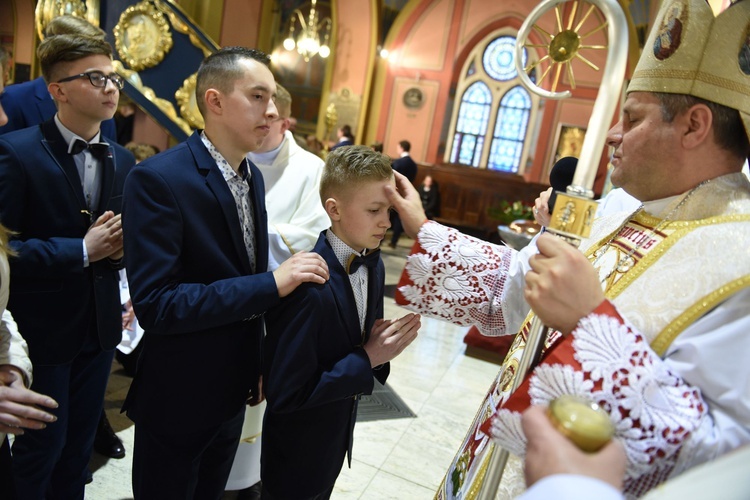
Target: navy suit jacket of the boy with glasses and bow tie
52, 295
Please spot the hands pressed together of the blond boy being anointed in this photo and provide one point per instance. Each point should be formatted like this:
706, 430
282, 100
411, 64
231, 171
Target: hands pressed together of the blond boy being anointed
389, 337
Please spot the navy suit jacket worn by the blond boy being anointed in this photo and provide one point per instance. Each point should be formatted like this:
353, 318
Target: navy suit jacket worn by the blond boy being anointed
315, 368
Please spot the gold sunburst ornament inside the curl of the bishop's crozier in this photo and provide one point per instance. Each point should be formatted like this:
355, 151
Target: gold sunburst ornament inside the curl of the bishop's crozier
566, 45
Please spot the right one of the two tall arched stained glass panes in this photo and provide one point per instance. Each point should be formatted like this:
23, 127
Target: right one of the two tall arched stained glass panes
510, 130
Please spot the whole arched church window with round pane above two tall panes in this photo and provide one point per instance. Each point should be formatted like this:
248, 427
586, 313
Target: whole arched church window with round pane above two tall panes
490, 93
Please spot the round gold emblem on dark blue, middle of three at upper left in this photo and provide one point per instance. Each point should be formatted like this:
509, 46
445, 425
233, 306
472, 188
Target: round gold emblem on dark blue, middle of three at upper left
142, 36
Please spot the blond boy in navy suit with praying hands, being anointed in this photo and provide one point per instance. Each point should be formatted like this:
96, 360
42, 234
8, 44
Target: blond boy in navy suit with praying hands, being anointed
325, 343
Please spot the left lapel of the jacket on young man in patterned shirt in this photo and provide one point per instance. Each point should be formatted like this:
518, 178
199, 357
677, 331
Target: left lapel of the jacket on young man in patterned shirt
216, 183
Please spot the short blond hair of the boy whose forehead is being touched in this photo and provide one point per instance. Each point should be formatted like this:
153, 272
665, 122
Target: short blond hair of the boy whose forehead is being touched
348, 167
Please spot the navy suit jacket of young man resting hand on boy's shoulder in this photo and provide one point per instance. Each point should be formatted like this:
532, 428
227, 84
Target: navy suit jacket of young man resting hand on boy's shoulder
193, 290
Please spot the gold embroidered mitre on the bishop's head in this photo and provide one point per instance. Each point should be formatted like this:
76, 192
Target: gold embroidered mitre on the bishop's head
691, 51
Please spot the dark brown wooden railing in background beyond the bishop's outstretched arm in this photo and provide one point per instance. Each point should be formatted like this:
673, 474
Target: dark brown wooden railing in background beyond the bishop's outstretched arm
466, 193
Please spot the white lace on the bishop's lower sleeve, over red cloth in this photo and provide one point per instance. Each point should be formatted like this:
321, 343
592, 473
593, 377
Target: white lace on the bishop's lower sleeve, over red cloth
654, 411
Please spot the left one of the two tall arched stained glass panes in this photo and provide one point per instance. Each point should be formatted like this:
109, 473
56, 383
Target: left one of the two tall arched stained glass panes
471, 127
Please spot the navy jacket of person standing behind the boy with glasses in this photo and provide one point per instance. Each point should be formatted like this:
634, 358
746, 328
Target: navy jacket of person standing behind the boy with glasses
29, 103
